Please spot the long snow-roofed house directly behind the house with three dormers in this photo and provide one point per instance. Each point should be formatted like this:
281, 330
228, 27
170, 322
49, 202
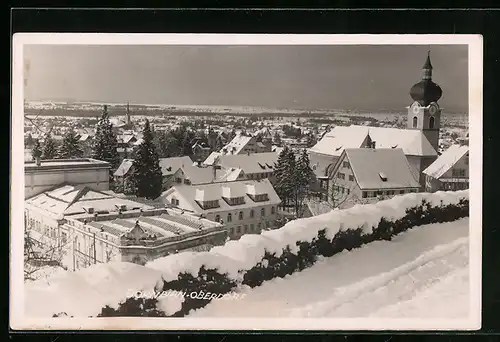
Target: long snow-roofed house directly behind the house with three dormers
254, 165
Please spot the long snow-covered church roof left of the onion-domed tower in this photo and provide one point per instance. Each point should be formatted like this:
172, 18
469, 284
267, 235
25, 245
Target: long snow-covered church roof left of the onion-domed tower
413, 142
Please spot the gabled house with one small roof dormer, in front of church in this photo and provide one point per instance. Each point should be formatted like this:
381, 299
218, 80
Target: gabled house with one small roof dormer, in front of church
364, 173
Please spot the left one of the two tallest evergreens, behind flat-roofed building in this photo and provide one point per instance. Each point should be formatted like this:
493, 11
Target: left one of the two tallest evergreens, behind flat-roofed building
105, 143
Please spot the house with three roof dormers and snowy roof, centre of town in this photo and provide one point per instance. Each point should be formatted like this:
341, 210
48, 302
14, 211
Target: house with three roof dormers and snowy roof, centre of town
243, 207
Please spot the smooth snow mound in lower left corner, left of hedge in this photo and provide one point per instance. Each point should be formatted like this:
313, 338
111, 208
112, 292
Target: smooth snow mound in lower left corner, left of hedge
84, 293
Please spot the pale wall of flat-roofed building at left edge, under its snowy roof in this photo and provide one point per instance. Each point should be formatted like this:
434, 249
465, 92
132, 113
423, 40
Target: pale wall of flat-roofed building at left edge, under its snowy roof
38, 182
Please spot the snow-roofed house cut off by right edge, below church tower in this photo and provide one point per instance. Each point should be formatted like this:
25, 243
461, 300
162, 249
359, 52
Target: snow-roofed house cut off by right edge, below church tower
450, 171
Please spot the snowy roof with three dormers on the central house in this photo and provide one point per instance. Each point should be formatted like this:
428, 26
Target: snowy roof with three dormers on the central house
214, 191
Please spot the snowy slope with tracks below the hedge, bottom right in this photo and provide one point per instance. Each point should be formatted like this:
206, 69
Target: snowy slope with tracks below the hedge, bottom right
421, 273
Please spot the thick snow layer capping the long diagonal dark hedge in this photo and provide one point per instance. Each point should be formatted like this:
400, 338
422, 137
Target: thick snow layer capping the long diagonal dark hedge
235, 257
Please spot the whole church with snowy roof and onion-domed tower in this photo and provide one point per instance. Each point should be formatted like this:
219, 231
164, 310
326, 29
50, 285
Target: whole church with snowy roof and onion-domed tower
419, 141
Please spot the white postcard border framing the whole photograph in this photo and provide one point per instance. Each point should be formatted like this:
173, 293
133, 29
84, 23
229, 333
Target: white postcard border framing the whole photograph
475, 60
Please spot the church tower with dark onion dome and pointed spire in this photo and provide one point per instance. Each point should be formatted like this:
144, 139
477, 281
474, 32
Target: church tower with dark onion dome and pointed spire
425, 114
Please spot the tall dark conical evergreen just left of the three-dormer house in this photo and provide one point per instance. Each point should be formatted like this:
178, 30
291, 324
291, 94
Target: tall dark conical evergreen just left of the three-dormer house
146, 178
